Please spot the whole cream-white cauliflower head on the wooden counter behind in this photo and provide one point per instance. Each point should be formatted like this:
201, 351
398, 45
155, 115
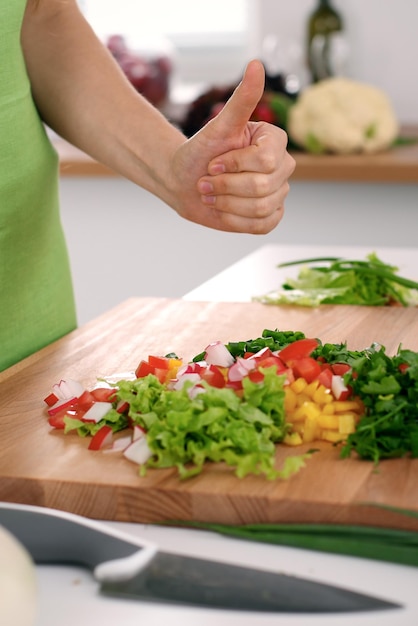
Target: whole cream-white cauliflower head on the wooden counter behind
342, 116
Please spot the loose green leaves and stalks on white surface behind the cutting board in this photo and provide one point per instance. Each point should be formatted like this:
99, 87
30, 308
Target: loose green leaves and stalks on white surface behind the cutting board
332, 280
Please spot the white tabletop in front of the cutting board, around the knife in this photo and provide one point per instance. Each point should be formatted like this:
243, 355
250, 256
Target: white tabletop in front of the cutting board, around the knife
69, 596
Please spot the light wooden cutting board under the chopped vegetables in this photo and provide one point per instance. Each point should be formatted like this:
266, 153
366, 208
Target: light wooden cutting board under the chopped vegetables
47, 468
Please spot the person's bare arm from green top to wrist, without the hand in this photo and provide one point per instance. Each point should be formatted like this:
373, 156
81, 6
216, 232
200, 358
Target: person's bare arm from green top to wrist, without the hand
82, 95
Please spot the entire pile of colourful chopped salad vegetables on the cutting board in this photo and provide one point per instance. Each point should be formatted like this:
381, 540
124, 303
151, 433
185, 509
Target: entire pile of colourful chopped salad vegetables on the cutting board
234, 403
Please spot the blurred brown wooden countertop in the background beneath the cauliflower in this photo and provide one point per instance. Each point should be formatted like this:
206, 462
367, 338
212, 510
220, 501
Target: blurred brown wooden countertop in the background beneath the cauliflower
399, 165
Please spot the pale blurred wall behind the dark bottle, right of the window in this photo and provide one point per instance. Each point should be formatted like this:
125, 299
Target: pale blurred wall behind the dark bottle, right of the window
382, 36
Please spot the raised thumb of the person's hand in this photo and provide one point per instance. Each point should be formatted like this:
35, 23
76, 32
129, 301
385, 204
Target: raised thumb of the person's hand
240, 106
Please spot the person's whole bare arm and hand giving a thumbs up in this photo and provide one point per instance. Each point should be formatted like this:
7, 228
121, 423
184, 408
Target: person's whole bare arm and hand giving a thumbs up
231, 176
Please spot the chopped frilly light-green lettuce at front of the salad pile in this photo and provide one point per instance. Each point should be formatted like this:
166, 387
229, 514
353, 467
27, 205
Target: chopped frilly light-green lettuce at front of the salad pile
216, 425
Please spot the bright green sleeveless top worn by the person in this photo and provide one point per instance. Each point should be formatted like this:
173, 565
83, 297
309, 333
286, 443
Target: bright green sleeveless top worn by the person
36, 296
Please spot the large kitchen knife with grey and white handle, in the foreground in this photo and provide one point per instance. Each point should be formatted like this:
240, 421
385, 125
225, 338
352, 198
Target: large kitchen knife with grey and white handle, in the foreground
128, 567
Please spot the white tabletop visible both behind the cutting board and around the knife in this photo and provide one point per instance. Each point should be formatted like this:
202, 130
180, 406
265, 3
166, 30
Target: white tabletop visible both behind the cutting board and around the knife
69, 596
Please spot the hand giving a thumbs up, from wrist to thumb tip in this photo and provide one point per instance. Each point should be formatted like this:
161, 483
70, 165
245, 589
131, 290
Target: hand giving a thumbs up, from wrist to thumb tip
234, 173
